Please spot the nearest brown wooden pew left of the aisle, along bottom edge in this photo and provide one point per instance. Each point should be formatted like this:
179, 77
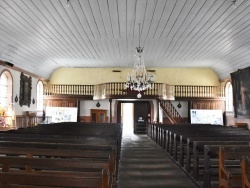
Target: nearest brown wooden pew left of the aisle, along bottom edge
27, 180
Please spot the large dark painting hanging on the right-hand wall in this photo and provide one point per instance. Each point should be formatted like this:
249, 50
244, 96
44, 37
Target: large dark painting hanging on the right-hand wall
241, 92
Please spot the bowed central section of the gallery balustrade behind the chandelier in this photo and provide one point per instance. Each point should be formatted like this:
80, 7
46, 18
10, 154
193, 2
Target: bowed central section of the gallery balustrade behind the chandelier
109, 90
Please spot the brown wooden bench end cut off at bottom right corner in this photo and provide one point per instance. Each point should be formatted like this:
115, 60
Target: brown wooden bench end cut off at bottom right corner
245, 169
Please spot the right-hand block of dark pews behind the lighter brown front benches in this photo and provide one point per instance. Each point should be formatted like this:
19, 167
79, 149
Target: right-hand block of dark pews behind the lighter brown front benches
194, 146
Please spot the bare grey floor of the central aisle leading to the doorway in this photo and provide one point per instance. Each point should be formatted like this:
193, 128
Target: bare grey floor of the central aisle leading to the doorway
143, 164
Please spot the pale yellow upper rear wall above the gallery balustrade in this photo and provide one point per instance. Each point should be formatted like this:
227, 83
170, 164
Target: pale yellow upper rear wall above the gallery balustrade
173, 76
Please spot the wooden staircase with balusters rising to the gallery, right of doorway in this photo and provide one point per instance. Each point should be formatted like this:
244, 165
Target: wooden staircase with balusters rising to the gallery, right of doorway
171, 112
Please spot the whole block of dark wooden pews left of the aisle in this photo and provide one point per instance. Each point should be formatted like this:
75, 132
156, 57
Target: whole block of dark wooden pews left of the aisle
64, 155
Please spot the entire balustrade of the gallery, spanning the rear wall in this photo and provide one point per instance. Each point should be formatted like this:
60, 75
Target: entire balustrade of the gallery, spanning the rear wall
116, 91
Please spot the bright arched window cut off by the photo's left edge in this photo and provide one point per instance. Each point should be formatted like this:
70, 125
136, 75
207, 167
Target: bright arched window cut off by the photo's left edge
6, 89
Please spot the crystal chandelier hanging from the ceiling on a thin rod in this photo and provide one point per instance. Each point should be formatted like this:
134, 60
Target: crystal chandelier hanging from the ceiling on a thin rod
139, 80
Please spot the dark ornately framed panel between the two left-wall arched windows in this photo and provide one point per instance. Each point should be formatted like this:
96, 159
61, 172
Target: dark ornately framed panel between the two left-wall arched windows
25, 90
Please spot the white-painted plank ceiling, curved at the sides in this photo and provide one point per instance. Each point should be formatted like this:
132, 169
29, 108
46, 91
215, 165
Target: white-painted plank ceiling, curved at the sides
40, 36
